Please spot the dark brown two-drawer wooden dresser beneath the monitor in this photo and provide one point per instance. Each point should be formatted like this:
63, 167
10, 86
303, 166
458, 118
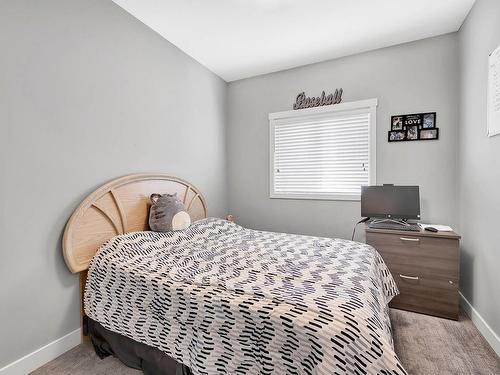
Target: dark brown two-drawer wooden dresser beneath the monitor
425, 266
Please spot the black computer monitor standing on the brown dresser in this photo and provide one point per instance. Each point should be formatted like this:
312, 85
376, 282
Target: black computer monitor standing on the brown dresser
389, 201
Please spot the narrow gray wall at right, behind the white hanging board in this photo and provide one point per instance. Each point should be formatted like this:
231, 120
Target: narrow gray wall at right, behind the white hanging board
479, 171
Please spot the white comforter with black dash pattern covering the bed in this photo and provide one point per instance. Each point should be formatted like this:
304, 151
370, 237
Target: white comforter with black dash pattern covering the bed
223, 299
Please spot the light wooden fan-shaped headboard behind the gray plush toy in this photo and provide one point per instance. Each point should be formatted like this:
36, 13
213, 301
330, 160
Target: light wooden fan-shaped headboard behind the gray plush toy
119, 207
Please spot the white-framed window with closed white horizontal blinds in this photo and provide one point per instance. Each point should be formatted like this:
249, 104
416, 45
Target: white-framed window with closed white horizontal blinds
323, 152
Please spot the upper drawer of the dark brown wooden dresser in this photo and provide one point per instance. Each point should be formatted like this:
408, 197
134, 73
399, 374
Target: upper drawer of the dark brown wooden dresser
414, 255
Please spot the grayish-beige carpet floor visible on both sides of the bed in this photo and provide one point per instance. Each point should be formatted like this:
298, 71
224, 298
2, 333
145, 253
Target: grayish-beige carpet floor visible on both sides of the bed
426, 346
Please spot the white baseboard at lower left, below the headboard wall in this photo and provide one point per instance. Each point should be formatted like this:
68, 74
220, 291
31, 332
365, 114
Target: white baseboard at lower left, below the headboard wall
43, 355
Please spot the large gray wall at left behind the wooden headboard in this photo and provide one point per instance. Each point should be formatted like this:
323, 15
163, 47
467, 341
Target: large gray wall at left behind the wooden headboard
87, 93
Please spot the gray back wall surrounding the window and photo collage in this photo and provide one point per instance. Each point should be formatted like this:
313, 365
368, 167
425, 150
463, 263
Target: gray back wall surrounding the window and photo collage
414, 77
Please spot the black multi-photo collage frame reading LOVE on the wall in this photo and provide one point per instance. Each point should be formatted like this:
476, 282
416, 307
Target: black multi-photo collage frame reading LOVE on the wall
413, 127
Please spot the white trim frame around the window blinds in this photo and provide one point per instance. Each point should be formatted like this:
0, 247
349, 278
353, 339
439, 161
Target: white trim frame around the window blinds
370, 105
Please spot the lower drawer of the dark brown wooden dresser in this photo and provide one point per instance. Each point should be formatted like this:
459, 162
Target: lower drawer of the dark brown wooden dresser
426, 295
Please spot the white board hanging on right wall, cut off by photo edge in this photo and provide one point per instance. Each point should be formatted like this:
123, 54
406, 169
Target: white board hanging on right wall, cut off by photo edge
493, 114
